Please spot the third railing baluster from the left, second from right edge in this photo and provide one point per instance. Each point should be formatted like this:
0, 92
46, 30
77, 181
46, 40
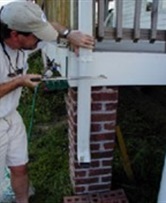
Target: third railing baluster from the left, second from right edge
137, 17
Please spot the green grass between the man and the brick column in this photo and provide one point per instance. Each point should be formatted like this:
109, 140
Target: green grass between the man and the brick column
48, 143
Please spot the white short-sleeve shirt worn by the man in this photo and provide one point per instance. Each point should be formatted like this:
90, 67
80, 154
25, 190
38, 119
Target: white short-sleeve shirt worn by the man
10, 101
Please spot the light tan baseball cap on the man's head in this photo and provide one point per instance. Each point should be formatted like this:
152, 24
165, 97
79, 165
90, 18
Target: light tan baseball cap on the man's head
28, 17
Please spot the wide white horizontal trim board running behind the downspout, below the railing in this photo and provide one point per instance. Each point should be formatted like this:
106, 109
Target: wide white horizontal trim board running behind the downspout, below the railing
123, 68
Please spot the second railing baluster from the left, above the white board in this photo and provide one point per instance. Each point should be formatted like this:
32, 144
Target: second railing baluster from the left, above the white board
119, 7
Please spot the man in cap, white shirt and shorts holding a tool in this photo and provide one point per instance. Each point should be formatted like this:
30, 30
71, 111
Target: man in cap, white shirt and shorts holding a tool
23, 25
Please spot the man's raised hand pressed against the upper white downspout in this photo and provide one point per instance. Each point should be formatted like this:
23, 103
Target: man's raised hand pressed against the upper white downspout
79, 39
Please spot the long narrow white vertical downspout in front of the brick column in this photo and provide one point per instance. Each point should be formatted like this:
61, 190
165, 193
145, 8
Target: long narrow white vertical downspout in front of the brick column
85, 23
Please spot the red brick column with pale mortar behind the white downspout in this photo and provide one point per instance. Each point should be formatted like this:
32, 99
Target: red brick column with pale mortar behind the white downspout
96, 177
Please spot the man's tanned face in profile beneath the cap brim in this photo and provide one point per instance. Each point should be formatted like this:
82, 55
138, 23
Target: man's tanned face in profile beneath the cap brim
27, 42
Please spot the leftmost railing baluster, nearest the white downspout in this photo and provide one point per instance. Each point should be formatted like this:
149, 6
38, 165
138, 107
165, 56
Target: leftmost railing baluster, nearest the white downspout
101, 18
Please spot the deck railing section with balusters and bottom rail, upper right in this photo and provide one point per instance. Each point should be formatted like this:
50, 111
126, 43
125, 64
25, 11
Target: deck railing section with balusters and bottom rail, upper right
130, 20
